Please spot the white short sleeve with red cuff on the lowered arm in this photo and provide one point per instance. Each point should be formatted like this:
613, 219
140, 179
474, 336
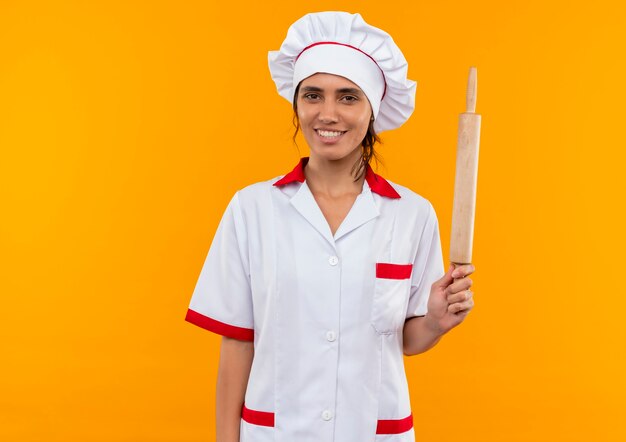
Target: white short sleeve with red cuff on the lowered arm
222, 299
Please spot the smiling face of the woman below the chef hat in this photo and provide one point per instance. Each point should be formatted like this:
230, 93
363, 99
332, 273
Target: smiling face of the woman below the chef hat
334, 115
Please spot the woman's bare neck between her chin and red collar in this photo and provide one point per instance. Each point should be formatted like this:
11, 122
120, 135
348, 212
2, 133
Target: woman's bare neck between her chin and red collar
334, 177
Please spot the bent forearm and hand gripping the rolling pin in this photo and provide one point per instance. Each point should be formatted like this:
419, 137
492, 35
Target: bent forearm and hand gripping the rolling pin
449, 303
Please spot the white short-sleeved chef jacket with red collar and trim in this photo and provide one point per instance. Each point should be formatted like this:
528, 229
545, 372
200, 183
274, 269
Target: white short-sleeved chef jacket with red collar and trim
325, 312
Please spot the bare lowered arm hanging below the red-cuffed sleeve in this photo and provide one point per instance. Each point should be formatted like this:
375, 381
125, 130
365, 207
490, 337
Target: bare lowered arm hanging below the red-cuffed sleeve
232, 380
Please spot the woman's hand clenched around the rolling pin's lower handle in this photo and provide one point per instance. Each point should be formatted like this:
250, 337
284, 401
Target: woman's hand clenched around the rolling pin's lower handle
450, 301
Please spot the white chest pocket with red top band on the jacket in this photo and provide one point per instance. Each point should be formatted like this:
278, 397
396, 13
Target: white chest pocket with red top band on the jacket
391, 292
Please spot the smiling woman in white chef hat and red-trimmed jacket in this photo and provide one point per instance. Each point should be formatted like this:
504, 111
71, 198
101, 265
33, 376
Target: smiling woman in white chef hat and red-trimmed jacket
320, 280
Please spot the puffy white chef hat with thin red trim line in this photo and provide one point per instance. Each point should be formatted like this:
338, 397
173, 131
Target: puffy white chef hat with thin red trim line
343, 44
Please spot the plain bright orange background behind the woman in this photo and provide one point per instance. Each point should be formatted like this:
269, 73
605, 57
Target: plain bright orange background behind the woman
125, 128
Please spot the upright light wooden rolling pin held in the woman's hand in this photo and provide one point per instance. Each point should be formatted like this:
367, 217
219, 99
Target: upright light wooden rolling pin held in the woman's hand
464, 207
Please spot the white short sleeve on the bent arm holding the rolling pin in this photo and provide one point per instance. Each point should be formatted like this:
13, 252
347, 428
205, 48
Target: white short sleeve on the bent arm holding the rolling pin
427, 268
